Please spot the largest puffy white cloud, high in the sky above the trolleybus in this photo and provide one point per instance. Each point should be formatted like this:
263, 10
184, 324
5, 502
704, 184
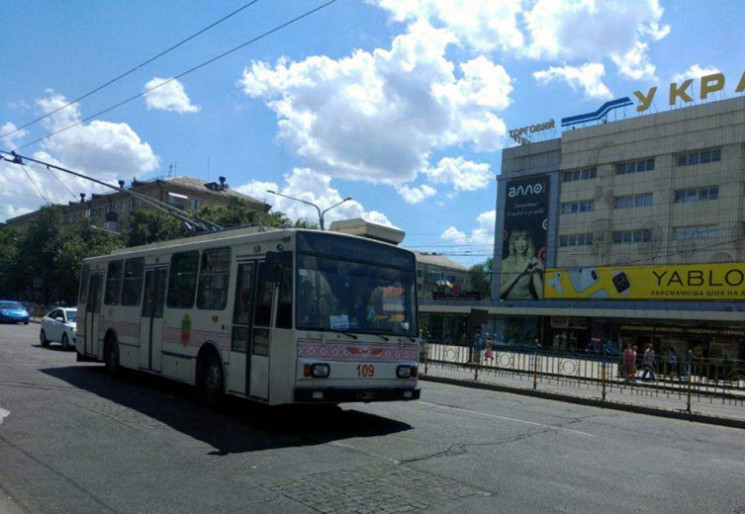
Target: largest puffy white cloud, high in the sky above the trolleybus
378, 116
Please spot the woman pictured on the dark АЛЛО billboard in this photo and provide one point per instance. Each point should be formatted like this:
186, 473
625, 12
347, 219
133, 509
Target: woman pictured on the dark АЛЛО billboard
522, 271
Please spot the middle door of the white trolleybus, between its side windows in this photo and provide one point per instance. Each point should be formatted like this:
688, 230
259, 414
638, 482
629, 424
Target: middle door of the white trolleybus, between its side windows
151, 321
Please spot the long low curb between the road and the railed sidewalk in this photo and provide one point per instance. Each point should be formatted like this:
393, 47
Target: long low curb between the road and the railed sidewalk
649, 411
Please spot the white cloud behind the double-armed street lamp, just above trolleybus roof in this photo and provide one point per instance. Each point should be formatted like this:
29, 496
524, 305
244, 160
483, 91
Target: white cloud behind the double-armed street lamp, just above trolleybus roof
312, 187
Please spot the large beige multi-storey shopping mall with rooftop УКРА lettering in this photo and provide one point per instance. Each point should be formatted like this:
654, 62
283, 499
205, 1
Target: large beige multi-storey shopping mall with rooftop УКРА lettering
629, 231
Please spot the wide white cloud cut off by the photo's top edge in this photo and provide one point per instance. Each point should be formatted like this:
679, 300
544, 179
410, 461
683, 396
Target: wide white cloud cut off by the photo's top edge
567, 30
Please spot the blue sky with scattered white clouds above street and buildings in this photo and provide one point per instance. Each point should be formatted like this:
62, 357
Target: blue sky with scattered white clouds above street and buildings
403, 105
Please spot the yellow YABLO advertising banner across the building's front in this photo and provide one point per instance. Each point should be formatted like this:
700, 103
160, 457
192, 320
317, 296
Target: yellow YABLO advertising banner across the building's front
724, 282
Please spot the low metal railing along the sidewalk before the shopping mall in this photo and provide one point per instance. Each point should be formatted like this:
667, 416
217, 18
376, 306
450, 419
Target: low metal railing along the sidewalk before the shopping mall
696, 381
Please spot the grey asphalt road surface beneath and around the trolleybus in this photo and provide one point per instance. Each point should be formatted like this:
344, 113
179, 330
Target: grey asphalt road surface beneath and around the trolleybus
73, 440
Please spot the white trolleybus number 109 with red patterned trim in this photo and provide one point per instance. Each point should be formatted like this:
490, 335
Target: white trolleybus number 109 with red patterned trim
280, 317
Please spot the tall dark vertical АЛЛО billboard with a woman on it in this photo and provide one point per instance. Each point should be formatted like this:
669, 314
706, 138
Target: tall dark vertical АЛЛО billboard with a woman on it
524, 238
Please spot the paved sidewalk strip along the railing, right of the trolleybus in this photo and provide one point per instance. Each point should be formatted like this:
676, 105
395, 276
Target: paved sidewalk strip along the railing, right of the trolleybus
652, 398
